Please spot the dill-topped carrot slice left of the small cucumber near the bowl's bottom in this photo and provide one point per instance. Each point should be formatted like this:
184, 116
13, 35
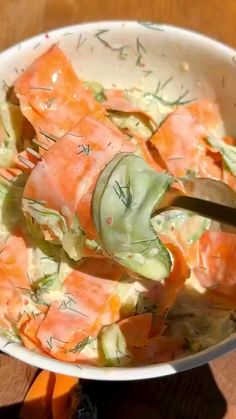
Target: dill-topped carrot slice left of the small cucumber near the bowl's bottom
71, 321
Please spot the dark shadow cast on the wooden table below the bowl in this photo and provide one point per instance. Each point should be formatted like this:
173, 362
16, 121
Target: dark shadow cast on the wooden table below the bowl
191, 394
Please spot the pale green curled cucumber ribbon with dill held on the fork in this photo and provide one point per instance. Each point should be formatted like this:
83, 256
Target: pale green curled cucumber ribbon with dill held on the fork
126, 193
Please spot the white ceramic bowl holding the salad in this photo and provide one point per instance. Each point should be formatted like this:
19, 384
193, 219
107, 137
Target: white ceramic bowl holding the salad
134, 54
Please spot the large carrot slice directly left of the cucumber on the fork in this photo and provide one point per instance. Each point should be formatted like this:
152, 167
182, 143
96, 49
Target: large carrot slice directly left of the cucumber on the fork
78, 157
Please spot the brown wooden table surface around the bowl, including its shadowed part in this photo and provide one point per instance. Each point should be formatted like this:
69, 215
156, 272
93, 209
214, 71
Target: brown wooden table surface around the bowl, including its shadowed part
205, 392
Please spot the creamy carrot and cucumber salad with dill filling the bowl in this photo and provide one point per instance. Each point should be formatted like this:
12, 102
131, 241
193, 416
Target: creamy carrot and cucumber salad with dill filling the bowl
89, 276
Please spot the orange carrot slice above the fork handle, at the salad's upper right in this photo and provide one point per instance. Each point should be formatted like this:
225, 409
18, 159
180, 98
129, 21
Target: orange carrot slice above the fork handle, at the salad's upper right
179, 140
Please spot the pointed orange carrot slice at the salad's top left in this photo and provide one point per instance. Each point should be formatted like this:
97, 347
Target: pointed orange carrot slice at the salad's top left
52, 97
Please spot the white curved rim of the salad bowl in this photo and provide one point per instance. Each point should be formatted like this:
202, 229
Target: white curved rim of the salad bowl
123, 373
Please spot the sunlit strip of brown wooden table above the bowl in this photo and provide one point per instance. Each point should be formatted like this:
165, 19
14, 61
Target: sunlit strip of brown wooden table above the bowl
23, 18
